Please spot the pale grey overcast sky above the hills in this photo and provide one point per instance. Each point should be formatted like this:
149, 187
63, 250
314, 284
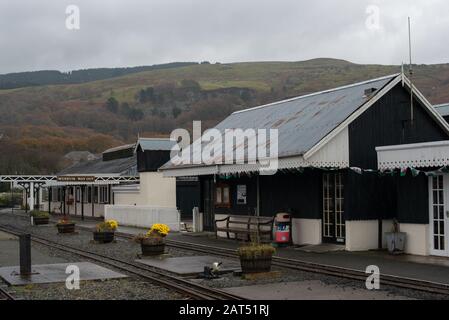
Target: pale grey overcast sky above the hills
34, 36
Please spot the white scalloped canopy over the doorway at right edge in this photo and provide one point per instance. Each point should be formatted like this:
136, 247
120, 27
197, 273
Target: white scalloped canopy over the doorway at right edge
417, 155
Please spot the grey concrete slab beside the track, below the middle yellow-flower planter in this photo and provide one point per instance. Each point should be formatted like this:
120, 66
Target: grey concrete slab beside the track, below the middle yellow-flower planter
190, 265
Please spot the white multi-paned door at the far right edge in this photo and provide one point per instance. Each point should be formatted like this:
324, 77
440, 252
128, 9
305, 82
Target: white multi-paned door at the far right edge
439, 215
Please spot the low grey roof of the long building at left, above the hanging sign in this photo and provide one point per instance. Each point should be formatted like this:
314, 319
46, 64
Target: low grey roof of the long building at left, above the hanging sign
99, 166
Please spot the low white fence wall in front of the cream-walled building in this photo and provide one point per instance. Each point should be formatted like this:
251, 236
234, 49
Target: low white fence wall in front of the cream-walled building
143, 216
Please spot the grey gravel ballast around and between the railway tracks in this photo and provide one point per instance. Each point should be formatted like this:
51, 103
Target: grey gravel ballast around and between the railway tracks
128, 250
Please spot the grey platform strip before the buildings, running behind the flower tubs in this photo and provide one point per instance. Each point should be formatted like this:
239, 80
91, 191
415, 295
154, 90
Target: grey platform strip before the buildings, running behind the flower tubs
427, 268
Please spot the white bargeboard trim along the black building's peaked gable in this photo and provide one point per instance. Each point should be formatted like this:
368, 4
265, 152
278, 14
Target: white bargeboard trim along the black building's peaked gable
401, 78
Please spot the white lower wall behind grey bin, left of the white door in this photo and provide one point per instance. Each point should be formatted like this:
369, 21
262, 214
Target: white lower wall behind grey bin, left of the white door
417, 239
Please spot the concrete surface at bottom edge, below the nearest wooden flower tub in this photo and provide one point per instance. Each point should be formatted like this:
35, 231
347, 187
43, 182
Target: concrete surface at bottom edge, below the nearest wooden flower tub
308, 290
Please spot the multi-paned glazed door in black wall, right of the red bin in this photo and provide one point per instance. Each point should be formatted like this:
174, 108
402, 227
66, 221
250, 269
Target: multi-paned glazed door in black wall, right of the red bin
334, 228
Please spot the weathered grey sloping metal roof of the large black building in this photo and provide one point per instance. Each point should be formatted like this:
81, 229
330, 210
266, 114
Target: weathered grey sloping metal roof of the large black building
303, 121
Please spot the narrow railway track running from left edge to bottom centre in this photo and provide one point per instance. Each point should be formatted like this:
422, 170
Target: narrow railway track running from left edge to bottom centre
191, 289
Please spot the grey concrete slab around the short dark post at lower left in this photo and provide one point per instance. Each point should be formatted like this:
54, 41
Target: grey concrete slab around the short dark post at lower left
51, 273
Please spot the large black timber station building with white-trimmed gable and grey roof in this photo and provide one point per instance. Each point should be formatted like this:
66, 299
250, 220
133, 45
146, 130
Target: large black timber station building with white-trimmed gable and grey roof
327, 175
